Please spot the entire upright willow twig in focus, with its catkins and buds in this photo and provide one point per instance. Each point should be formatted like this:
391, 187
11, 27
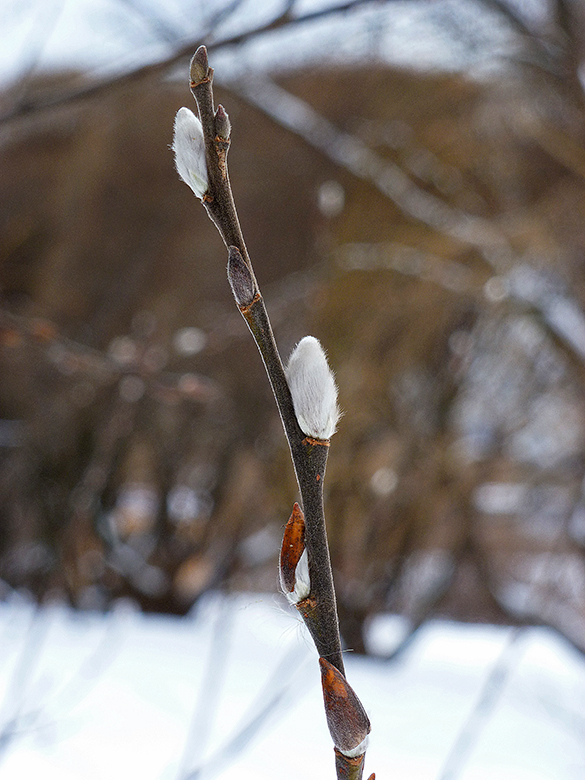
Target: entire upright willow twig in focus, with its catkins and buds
306, 397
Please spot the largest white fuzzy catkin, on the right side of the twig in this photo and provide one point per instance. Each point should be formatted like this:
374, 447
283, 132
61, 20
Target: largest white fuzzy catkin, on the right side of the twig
313, 389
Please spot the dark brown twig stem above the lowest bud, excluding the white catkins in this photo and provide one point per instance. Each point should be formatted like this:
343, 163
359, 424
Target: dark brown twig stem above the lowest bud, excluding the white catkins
309, 455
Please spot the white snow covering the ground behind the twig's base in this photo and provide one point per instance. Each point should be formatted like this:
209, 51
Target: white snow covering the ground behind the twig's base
233, 691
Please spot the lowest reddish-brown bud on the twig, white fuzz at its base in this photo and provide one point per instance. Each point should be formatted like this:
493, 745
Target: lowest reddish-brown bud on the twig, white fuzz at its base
348, 722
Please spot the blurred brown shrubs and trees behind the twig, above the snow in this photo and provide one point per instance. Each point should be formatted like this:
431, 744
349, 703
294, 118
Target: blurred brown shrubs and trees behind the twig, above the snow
427, 226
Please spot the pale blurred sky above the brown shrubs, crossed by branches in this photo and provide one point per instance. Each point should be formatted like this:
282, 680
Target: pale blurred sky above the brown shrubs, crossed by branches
112, 35
